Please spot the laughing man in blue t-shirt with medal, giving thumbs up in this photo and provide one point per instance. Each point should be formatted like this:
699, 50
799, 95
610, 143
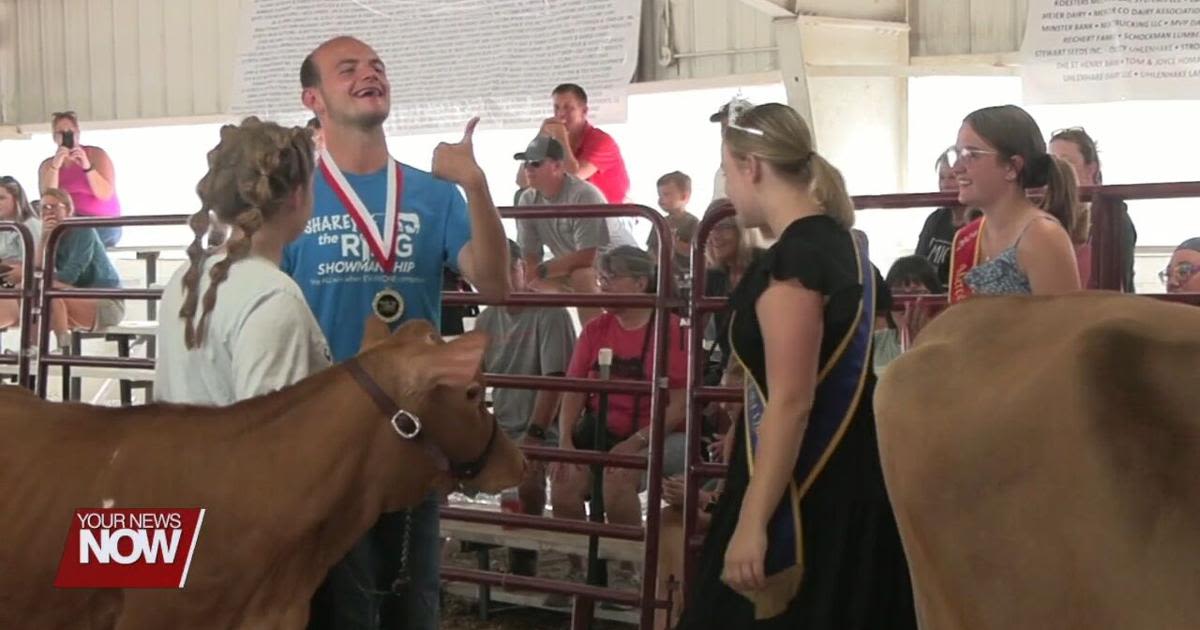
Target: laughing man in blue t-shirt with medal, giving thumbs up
380, 236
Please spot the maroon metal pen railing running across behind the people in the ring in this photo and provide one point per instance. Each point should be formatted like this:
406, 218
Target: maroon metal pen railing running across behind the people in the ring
1107, 268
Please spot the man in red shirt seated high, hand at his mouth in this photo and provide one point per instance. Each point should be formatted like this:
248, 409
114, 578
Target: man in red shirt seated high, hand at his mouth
593, 155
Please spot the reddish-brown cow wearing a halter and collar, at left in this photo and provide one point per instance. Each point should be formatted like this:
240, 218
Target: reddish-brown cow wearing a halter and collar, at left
290, 481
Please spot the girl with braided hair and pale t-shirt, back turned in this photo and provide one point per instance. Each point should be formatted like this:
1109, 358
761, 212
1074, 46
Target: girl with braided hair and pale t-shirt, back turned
235, 326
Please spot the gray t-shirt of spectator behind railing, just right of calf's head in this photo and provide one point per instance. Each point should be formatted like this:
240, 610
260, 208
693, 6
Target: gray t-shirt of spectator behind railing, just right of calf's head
525, 343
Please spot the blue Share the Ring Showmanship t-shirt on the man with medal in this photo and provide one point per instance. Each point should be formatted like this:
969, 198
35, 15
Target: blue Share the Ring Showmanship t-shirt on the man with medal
334, 267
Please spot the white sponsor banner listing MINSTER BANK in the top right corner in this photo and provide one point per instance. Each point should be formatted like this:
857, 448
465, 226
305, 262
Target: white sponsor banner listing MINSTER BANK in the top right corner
1100, 51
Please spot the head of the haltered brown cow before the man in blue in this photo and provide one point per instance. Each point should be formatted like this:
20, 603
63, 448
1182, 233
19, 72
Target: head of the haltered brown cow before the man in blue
442, 385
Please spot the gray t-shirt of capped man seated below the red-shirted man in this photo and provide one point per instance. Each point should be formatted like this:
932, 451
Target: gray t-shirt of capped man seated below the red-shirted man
565, 236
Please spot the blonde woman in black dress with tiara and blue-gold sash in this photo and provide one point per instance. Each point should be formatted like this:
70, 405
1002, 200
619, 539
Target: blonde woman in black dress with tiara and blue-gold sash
803, 537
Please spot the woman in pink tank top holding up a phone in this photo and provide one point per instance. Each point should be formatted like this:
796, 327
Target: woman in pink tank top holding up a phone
83, 172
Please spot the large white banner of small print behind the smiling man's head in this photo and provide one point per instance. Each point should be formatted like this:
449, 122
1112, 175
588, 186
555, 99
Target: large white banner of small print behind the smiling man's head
448, 61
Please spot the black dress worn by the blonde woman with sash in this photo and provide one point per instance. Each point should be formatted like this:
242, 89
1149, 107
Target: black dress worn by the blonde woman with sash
855, 571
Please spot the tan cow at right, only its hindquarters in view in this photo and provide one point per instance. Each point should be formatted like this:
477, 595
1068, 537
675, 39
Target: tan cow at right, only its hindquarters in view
1043, 458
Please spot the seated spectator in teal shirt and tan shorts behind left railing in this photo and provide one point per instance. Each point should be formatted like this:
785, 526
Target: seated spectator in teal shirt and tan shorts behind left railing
80, 262
